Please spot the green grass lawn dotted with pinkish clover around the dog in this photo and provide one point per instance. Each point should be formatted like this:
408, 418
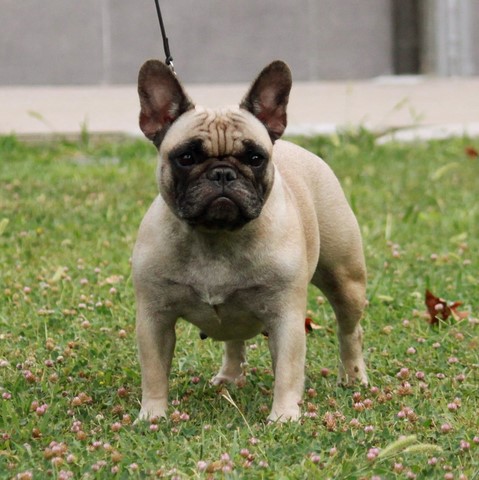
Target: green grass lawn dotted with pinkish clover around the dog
69, 213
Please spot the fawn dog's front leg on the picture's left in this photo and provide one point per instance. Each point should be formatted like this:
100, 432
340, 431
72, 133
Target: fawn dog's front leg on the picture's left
156, 343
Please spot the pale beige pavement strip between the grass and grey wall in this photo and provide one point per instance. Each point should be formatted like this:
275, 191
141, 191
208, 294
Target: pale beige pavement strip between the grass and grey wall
418, 107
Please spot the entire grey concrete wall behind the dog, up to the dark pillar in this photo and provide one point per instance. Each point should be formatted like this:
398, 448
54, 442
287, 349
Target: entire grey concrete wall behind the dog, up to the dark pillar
105, 41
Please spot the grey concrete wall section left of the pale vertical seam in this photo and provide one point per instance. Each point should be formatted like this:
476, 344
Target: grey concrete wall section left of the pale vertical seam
53, 41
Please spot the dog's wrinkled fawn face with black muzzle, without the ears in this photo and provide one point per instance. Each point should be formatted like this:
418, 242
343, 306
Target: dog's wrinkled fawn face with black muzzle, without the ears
215, 170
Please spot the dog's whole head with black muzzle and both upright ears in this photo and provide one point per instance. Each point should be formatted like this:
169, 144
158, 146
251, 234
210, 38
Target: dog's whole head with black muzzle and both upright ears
215, 168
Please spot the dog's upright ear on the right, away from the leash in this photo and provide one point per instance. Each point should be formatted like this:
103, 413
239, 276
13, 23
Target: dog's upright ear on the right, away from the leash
268, 96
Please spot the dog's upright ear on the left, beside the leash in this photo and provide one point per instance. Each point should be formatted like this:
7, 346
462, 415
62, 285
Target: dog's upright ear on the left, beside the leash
162, 99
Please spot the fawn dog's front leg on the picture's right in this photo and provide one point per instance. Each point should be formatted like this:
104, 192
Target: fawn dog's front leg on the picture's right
287, 343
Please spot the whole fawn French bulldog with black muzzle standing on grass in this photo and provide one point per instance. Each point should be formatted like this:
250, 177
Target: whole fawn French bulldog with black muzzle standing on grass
242, 224
